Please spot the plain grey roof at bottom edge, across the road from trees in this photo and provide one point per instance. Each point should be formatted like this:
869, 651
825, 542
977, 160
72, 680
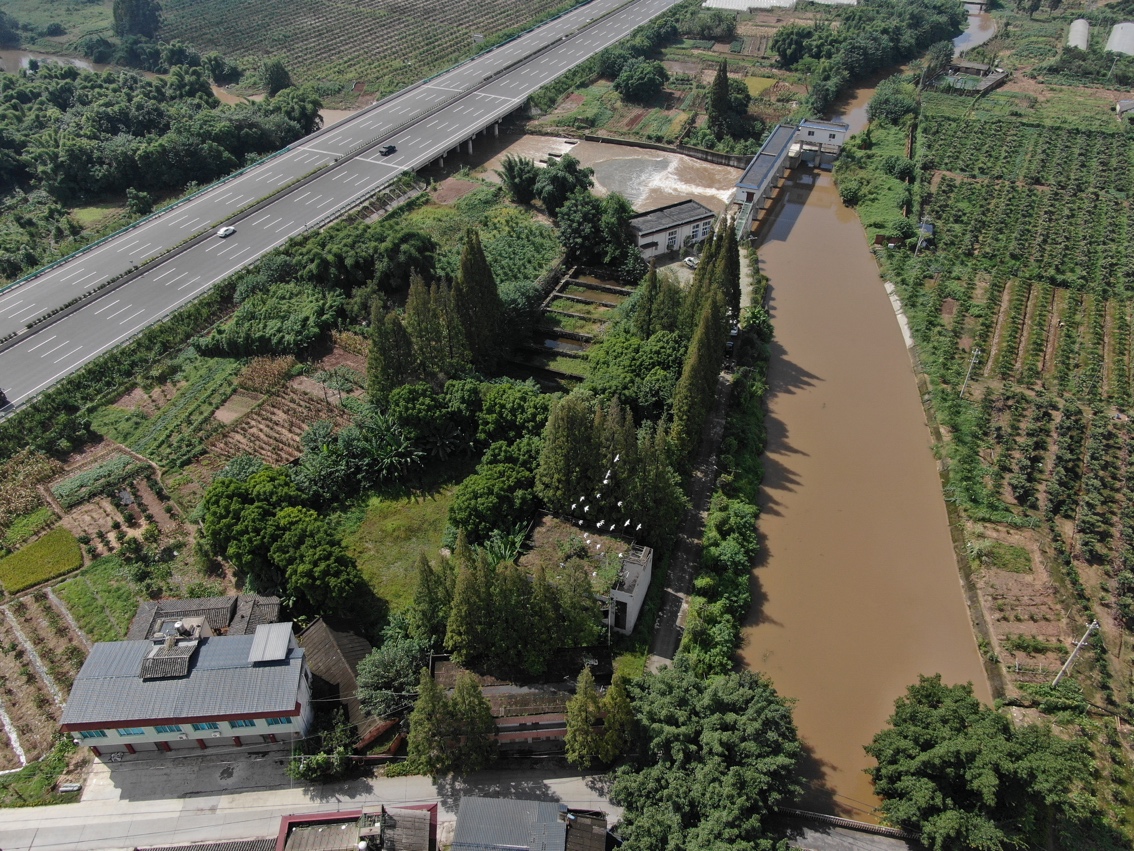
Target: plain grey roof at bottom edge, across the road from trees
498, 823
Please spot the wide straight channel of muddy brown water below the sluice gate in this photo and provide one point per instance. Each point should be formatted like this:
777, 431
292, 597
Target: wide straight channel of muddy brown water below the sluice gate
858, 592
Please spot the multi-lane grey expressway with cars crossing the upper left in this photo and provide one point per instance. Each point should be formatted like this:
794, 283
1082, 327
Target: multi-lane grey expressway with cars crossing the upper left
425, 123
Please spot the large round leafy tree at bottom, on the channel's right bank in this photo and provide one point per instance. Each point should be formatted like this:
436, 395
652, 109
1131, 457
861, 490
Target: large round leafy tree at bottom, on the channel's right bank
963, 776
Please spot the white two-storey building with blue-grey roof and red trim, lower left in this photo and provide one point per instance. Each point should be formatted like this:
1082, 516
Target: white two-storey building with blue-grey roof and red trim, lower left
187, 688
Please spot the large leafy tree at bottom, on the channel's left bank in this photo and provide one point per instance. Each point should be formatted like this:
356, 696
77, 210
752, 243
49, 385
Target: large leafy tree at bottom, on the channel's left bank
716, 757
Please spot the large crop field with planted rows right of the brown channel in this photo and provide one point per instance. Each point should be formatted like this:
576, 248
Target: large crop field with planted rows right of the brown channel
1022, 308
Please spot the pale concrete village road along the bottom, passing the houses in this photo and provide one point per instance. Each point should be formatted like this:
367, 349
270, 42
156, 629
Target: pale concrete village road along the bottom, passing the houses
238, 795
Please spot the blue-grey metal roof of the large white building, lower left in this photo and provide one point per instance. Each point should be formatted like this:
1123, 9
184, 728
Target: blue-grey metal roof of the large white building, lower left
221, 683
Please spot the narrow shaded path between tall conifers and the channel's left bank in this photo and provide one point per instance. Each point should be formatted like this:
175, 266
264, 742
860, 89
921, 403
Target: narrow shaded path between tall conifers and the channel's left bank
683, 567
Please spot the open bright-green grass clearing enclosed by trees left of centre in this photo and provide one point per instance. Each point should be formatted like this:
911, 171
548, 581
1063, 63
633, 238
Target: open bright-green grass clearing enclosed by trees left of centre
388, 534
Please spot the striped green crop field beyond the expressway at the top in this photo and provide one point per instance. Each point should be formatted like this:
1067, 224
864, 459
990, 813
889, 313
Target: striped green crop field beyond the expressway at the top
379, 44
